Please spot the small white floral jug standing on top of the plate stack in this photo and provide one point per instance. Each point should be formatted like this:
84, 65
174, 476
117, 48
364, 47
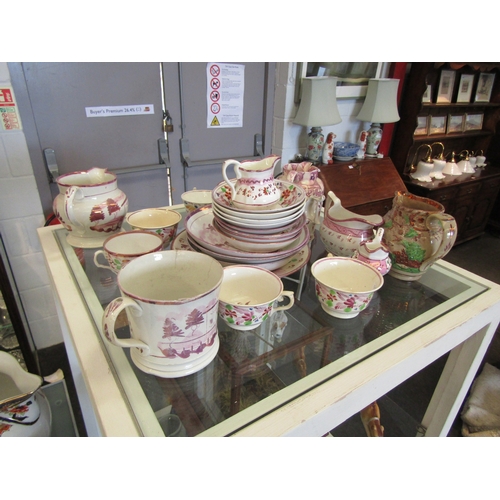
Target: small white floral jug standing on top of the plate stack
254, 186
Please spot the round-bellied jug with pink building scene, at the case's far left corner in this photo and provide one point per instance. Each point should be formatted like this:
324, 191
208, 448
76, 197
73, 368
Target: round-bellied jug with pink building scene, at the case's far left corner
90, 206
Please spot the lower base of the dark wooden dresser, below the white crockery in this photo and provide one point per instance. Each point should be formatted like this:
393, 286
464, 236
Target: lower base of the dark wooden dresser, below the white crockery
468, 197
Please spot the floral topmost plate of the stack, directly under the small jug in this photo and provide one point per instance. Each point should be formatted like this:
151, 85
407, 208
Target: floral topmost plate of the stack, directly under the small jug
291, 196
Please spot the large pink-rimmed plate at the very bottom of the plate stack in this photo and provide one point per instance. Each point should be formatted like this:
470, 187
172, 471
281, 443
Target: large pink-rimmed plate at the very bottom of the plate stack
200, 229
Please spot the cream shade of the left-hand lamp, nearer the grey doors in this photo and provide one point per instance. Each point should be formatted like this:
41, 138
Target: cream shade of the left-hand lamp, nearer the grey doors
318, 106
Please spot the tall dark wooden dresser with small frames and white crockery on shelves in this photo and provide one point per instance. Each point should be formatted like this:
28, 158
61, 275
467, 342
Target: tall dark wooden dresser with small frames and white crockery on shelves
470, 198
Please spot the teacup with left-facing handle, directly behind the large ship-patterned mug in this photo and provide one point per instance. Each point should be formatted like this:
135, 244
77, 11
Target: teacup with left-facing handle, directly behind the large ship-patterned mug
122, 248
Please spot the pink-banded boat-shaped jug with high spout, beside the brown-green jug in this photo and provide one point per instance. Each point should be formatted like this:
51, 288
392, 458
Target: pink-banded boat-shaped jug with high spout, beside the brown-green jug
343, 231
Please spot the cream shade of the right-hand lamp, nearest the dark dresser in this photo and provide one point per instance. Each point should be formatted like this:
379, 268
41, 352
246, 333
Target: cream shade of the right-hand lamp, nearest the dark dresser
380, 104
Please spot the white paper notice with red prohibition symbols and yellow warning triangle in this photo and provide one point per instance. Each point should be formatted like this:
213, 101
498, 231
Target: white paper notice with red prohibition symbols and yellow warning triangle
225, 93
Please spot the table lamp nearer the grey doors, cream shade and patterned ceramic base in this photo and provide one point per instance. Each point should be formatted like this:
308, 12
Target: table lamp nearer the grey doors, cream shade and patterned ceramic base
318, 107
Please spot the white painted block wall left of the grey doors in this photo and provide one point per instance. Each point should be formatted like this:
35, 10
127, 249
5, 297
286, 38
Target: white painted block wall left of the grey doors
20, 215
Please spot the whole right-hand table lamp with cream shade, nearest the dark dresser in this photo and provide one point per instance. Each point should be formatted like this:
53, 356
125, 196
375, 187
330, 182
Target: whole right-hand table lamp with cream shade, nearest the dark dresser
380, 106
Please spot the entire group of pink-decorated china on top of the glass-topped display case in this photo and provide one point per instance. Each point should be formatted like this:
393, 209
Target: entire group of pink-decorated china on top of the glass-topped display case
237, 244
